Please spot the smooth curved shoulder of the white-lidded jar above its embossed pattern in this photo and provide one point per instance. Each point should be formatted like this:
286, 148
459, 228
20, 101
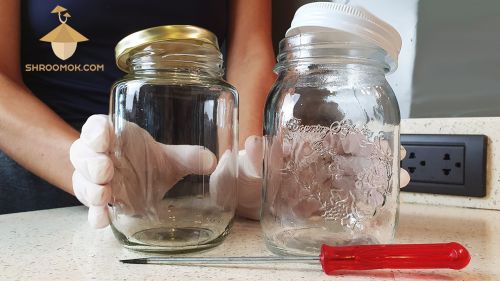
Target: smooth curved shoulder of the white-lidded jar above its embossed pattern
324, 102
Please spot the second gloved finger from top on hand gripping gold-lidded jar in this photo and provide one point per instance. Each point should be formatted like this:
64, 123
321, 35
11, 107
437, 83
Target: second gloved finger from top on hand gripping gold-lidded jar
96, 167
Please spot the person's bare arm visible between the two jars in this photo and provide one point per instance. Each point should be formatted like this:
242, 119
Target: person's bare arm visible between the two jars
250, 61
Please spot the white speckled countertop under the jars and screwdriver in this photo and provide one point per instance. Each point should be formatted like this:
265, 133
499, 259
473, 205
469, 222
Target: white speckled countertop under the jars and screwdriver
59, 245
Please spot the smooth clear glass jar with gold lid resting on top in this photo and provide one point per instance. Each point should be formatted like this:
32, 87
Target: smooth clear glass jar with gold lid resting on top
172, 115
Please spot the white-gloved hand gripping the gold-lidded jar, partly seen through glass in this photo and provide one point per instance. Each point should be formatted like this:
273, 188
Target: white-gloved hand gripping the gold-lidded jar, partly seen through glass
139, 178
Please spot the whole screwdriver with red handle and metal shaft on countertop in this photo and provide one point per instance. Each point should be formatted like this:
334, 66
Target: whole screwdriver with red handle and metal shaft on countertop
360, 257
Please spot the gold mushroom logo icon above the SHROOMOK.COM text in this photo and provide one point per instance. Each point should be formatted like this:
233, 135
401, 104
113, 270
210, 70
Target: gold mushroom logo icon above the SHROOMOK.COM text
63, 38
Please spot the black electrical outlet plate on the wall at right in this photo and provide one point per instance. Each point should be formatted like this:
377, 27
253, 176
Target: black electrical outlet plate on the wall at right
446, 164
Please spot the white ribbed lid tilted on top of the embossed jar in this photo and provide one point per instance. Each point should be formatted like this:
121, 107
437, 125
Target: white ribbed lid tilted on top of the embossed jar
353, 20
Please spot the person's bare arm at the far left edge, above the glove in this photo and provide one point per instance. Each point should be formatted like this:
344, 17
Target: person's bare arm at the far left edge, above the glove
30, 132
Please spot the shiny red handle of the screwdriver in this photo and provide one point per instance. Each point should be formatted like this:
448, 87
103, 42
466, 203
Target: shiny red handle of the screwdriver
396, 256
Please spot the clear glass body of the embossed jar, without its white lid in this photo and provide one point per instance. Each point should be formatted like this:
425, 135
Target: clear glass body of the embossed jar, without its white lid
331, 165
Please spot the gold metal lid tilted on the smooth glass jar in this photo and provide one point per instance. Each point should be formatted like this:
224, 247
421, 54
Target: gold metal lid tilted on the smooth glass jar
124, 48
